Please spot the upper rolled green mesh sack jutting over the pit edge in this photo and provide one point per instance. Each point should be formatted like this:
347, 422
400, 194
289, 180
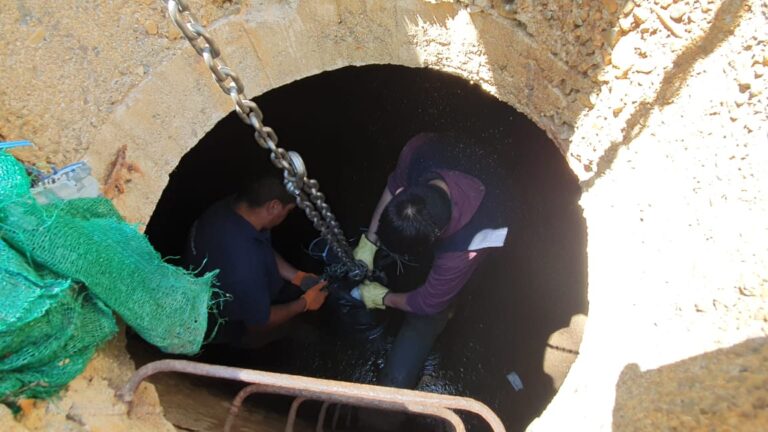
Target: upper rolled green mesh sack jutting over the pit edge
87, 241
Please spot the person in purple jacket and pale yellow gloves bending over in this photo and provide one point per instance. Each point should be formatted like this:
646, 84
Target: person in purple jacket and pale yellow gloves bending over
447, 196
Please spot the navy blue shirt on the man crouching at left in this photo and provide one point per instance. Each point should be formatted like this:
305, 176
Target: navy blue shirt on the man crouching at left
223, 240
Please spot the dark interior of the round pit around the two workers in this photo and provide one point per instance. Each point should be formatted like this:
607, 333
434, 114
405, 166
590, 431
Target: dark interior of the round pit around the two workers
350, 125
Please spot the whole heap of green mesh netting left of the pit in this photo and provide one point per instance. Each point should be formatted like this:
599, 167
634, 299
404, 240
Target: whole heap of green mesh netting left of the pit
48, 253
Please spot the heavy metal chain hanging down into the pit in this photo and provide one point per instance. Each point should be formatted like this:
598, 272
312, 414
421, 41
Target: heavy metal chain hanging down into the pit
307, 193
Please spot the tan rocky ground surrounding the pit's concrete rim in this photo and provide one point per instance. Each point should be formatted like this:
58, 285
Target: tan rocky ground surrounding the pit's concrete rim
662, 117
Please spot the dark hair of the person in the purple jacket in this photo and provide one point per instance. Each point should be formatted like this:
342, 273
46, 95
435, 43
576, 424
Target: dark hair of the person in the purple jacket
414, 219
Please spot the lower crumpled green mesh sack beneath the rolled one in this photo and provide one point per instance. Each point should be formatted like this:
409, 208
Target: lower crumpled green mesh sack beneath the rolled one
48, 332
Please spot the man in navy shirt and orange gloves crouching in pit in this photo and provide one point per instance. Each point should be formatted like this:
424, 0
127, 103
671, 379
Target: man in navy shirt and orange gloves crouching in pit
233, 238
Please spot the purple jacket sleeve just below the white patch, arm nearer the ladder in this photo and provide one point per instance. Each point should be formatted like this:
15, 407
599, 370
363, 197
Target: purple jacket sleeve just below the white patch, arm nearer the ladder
450, 271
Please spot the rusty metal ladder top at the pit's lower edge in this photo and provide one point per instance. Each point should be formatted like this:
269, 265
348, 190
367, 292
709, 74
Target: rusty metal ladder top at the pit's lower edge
328, 391
